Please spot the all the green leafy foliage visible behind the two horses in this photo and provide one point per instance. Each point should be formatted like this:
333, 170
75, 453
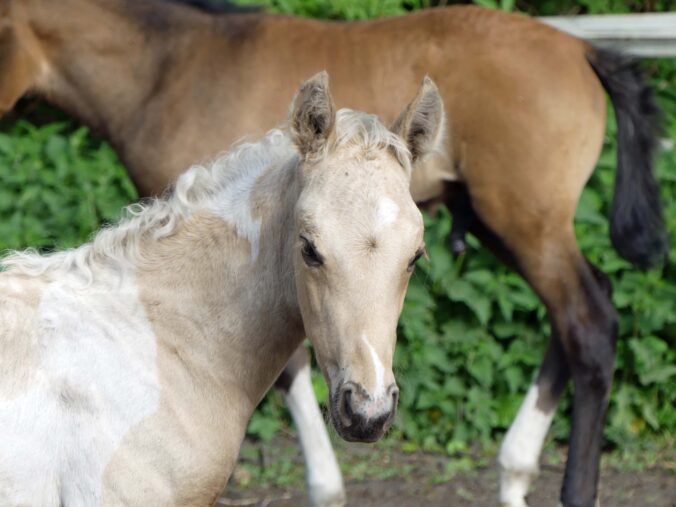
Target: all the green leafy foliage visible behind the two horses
472, 333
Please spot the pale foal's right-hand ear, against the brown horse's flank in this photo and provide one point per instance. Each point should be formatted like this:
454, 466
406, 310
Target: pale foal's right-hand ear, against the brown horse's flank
423, 122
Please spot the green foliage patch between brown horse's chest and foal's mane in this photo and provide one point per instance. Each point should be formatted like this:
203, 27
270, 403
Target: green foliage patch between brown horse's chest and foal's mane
58, 186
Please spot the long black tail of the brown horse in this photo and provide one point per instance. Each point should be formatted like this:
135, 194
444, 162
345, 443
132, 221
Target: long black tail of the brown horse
636, 224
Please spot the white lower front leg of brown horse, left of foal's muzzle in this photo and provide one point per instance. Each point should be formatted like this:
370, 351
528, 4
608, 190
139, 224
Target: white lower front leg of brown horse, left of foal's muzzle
324, 481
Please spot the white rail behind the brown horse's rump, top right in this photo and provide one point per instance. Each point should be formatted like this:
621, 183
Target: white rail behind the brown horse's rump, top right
647, 35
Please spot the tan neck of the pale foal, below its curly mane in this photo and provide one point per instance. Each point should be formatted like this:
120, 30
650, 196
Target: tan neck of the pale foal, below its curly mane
241, 295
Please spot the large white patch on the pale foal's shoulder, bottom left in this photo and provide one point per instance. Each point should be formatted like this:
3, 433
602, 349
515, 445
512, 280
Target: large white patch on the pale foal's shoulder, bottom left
96, 380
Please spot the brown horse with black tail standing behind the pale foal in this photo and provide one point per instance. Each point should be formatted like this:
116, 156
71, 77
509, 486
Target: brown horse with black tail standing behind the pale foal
526, 106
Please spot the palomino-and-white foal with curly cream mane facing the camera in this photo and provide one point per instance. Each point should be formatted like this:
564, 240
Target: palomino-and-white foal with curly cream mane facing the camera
131, 365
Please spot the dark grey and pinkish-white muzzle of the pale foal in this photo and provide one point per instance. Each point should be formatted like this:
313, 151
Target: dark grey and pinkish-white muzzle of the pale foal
360, 417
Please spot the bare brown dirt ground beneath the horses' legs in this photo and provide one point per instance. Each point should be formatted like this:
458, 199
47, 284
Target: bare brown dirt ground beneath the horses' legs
416, 480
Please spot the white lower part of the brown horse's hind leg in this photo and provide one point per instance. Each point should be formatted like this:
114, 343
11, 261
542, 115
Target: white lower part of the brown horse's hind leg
520, 451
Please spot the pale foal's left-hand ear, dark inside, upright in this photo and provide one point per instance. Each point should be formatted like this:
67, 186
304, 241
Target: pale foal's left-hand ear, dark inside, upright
312, 115
